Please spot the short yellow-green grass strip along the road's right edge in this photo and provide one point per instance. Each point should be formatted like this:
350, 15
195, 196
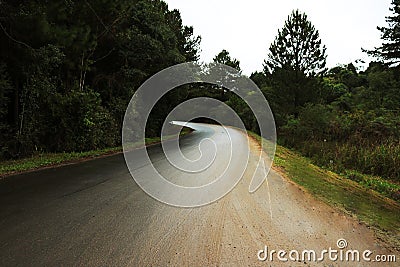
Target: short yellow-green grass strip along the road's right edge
370, 207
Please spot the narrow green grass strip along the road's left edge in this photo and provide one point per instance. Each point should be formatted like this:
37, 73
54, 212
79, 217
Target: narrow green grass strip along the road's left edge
54, 159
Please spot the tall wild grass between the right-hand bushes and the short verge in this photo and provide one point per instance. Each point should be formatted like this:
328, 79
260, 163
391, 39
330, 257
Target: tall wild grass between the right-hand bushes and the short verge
373, 166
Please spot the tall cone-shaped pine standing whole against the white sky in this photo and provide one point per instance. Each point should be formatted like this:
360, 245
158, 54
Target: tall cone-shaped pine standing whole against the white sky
295, 58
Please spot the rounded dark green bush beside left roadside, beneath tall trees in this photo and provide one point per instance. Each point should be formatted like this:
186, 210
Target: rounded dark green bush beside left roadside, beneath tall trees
82, 123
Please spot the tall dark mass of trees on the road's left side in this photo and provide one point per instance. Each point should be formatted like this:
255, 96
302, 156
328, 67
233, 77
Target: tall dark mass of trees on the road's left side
69, 68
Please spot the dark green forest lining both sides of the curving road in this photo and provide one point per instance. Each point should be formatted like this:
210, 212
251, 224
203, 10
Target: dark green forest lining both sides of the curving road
69, 68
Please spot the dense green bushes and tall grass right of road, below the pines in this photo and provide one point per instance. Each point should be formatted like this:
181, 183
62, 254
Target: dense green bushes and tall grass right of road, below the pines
354, 125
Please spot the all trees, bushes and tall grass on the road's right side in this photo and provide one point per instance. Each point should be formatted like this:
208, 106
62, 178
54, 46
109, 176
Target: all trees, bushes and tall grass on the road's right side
344, 119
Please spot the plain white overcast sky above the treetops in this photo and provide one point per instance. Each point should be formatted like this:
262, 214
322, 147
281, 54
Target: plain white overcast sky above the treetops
246, 28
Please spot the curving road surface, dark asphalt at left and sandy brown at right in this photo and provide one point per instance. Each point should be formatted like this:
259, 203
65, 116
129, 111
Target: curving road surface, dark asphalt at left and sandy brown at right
94, 214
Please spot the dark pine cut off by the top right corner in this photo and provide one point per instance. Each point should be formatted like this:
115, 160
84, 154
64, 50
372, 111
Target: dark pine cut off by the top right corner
390, 49
